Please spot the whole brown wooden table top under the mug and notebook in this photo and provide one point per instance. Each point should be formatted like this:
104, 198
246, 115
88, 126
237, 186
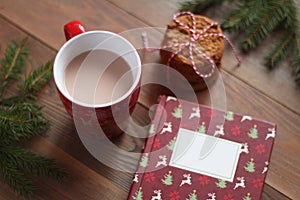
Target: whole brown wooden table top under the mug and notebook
250, 89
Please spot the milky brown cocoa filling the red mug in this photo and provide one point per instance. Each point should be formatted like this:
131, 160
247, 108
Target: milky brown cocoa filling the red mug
104, 77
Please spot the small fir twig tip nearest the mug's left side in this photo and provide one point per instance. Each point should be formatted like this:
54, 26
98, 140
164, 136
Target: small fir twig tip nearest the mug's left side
30, 85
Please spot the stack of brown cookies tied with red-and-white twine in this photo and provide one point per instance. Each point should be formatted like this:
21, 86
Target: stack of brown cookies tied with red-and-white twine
212, 46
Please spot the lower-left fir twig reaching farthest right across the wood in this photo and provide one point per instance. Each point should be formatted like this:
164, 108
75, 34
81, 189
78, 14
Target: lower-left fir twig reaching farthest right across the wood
33, 163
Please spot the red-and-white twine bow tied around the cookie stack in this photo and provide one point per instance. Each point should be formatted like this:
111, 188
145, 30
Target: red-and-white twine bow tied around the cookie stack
191, 44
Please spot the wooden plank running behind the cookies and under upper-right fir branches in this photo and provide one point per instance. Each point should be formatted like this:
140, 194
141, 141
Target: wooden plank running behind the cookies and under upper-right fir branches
278, 84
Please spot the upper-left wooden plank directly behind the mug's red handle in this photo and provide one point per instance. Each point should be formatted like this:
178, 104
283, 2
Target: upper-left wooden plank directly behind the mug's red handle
45, 19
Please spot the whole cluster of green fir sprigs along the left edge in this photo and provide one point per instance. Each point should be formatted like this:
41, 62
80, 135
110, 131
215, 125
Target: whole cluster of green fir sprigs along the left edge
20, 119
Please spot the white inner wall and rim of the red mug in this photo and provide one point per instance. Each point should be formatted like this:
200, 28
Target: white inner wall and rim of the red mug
102, 40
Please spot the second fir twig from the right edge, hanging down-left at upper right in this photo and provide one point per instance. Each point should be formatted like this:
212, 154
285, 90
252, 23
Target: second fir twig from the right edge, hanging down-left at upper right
280, 50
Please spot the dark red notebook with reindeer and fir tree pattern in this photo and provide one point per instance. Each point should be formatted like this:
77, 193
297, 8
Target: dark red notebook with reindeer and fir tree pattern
194, 152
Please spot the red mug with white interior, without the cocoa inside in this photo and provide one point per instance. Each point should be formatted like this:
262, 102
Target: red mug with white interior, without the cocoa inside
111, 117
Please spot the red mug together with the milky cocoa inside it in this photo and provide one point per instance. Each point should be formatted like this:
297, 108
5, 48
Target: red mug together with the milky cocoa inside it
97, 75
